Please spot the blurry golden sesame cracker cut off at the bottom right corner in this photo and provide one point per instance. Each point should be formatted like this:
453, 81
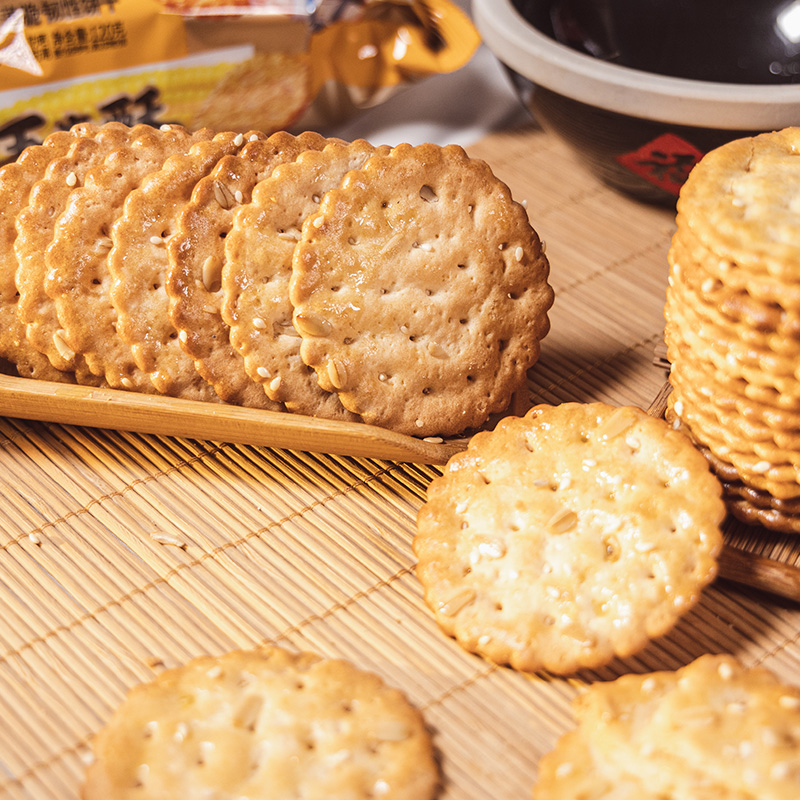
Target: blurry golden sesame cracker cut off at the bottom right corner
712, 729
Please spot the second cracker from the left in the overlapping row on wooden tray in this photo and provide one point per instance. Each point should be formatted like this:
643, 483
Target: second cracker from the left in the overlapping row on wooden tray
36, 223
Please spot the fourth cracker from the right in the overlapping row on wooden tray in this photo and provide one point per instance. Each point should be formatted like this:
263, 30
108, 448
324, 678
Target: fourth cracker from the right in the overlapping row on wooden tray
138, 264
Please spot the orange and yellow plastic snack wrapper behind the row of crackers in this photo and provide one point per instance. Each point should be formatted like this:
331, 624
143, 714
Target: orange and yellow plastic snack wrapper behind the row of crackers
225, 64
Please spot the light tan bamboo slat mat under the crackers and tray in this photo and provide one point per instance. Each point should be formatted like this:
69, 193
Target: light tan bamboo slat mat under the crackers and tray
122, 554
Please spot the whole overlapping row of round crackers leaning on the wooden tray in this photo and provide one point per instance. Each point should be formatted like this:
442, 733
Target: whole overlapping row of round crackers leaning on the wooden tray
402, 287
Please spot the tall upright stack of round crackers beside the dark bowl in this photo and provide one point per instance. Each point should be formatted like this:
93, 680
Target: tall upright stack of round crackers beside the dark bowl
733, 323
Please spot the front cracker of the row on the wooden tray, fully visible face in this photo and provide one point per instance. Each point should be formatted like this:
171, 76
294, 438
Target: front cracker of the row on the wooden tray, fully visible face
420, 291
